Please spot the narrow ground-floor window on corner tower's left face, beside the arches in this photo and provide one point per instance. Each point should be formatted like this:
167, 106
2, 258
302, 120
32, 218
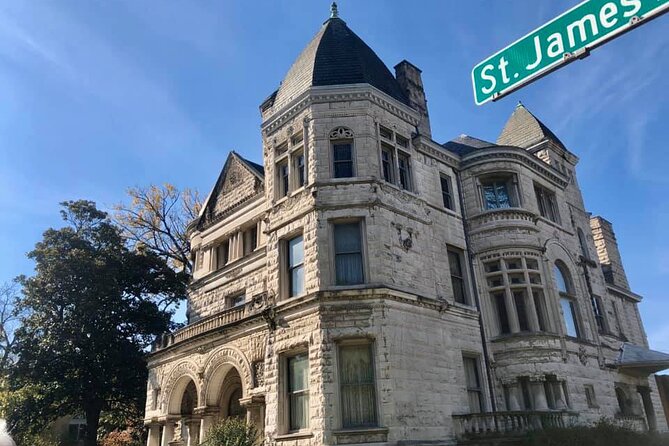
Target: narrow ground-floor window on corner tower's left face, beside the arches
298, 392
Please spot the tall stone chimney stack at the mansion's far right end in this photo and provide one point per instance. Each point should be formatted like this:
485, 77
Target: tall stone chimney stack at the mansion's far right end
608, 253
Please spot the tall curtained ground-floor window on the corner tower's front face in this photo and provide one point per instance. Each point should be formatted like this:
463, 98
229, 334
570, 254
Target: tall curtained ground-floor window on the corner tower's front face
357, 387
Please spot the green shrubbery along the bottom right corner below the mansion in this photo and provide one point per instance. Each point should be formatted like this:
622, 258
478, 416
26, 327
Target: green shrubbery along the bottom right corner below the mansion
602, 433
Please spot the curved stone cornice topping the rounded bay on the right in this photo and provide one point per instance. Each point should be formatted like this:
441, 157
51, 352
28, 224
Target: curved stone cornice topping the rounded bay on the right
508, 153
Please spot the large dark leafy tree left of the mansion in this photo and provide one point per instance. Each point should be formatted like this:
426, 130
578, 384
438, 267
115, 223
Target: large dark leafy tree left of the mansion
91, 310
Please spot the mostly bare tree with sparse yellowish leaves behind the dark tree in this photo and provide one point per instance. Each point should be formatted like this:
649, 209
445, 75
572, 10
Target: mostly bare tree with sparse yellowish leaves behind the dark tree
156, 219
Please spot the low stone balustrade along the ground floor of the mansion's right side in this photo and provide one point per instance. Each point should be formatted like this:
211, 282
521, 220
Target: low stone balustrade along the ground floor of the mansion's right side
496, 424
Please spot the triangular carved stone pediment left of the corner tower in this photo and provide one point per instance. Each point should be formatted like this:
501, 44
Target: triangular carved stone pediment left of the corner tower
239, 181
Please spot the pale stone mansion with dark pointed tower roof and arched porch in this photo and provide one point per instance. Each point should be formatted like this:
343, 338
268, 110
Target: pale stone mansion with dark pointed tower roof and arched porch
367, 284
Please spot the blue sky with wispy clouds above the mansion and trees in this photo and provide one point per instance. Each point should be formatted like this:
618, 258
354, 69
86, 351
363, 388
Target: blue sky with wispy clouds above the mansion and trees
96, 96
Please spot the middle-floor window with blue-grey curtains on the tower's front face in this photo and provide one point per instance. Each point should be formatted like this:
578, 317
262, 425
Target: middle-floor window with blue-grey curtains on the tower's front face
348, 254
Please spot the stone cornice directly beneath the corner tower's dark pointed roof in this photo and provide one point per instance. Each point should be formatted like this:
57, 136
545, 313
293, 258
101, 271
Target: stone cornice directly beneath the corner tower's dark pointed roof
316, 95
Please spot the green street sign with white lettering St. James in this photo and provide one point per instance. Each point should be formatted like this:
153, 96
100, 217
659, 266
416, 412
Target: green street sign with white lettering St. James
564, 39
